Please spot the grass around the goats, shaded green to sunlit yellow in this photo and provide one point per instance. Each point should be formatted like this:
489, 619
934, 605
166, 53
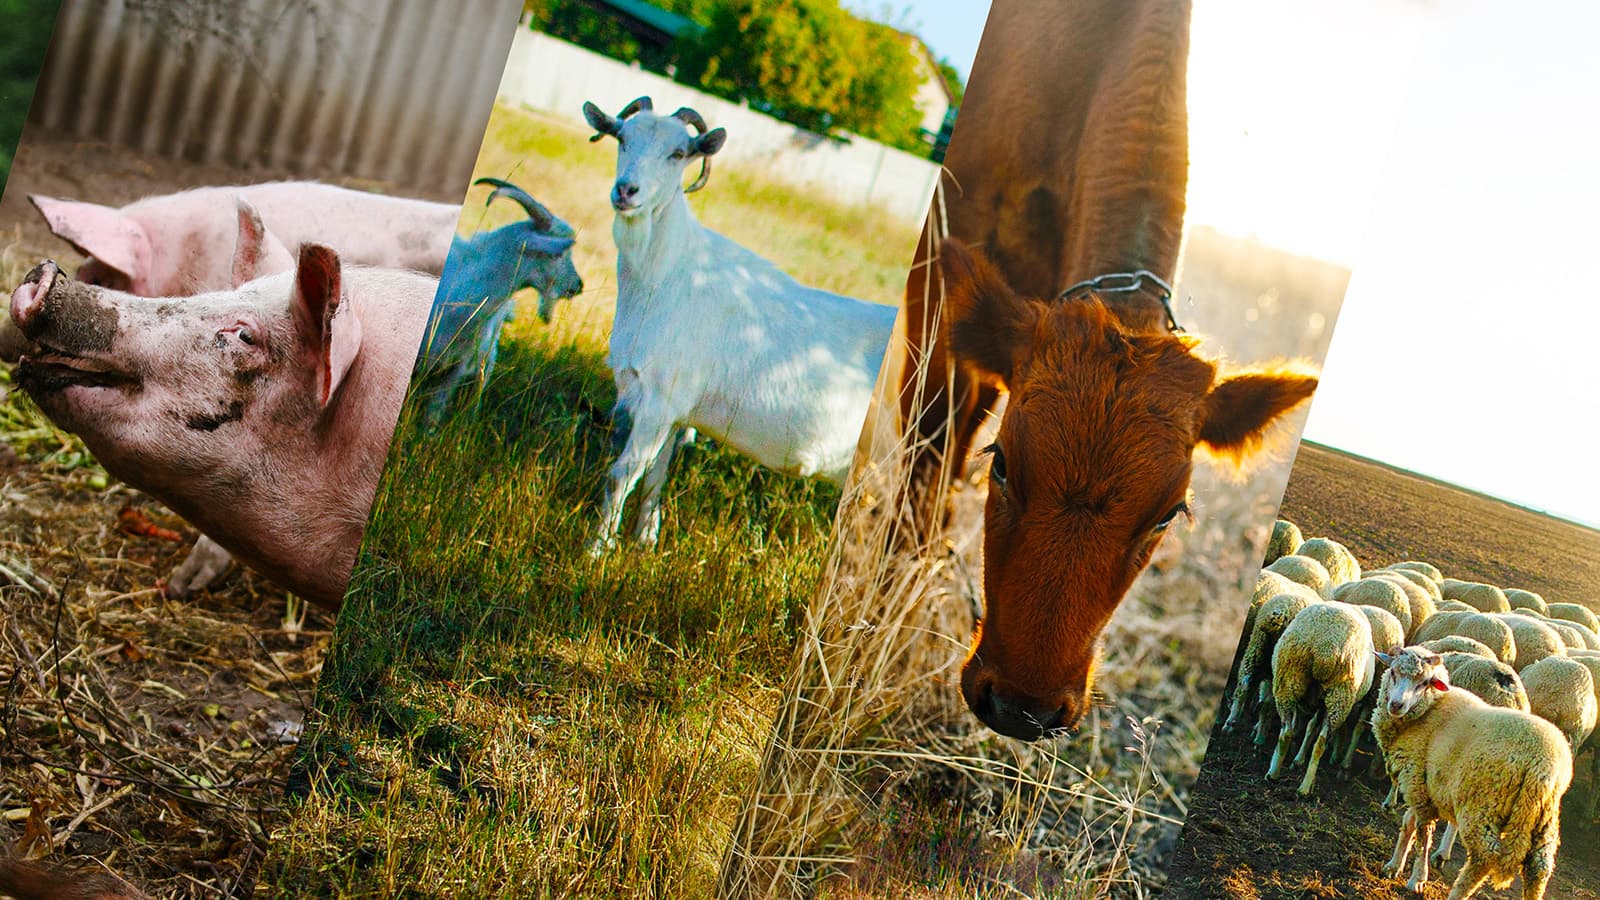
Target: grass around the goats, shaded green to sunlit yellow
502, 715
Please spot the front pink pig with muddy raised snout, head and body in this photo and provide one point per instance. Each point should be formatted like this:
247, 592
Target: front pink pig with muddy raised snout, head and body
260, 414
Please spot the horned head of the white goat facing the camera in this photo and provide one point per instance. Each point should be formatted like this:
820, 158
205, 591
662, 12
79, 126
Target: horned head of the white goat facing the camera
654, 151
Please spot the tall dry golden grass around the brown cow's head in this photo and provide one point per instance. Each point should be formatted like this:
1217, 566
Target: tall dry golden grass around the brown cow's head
878, 782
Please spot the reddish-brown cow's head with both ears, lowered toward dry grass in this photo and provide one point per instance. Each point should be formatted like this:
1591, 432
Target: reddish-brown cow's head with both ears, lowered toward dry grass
1090, 468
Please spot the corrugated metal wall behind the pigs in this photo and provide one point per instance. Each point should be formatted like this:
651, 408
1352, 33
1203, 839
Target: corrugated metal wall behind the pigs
394, 90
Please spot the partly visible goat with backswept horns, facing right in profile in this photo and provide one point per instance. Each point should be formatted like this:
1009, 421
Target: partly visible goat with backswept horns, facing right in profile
476, 292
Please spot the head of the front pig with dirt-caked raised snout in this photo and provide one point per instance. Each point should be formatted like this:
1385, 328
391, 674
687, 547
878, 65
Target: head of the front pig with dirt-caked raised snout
180, 395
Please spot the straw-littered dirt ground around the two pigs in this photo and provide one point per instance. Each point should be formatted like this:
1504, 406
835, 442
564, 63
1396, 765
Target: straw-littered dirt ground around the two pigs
143, 736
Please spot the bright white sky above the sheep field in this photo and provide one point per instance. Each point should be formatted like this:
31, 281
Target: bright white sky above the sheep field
1466, 342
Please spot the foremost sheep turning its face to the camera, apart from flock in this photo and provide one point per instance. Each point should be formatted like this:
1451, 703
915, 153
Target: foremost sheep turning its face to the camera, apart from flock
1497, 774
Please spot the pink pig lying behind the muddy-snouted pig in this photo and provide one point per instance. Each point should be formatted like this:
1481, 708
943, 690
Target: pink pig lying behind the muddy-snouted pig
183, 244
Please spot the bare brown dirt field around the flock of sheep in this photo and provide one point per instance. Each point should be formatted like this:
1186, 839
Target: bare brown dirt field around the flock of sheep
1252, 840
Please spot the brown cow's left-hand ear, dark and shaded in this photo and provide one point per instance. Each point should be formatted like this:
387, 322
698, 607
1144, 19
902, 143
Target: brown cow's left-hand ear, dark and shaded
990, 324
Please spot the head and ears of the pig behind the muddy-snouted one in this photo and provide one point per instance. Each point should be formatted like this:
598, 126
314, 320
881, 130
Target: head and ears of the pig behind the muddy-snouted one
174, 246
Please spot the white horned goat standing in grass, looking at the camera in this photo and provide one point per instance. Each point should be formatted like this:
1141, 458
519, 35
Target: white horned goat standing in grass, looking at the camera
714, 337
